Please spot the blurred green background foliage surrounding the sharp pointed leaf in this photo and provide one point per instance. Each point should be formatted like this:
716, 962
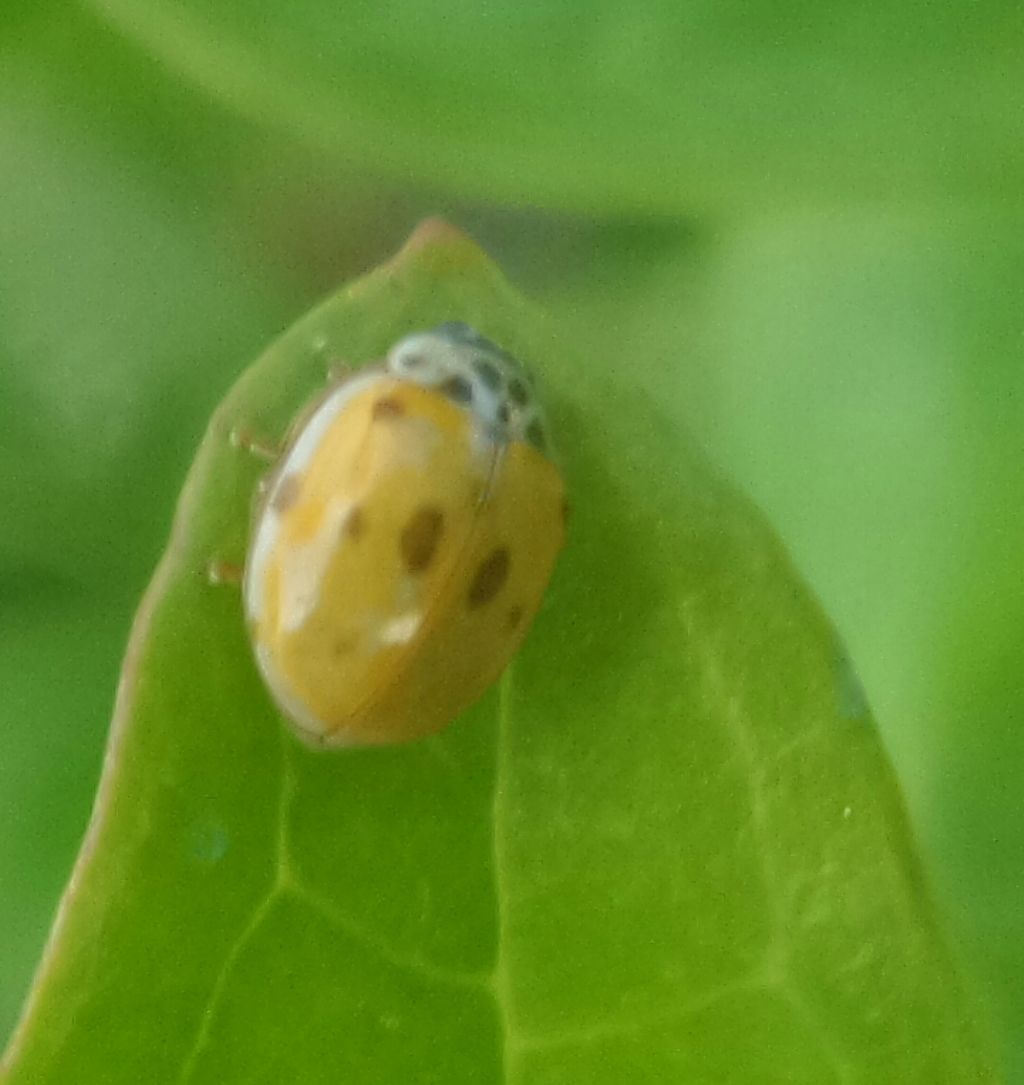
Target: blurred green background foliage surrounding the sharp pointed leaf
805, 223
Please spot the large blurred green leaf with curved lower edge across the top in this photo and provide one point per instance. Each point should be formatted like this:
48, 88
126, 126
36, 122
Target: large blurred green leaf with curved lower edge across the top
646, 105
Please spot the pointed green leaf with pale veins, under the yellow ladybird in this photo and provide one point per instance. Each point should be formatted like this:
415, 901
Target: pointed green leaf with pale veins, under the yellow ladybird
668, 848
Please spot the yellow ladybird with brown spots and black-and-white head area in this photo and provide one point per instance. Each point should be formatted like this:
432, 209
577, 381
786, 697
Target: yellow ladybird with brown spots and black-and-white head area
405, 543
